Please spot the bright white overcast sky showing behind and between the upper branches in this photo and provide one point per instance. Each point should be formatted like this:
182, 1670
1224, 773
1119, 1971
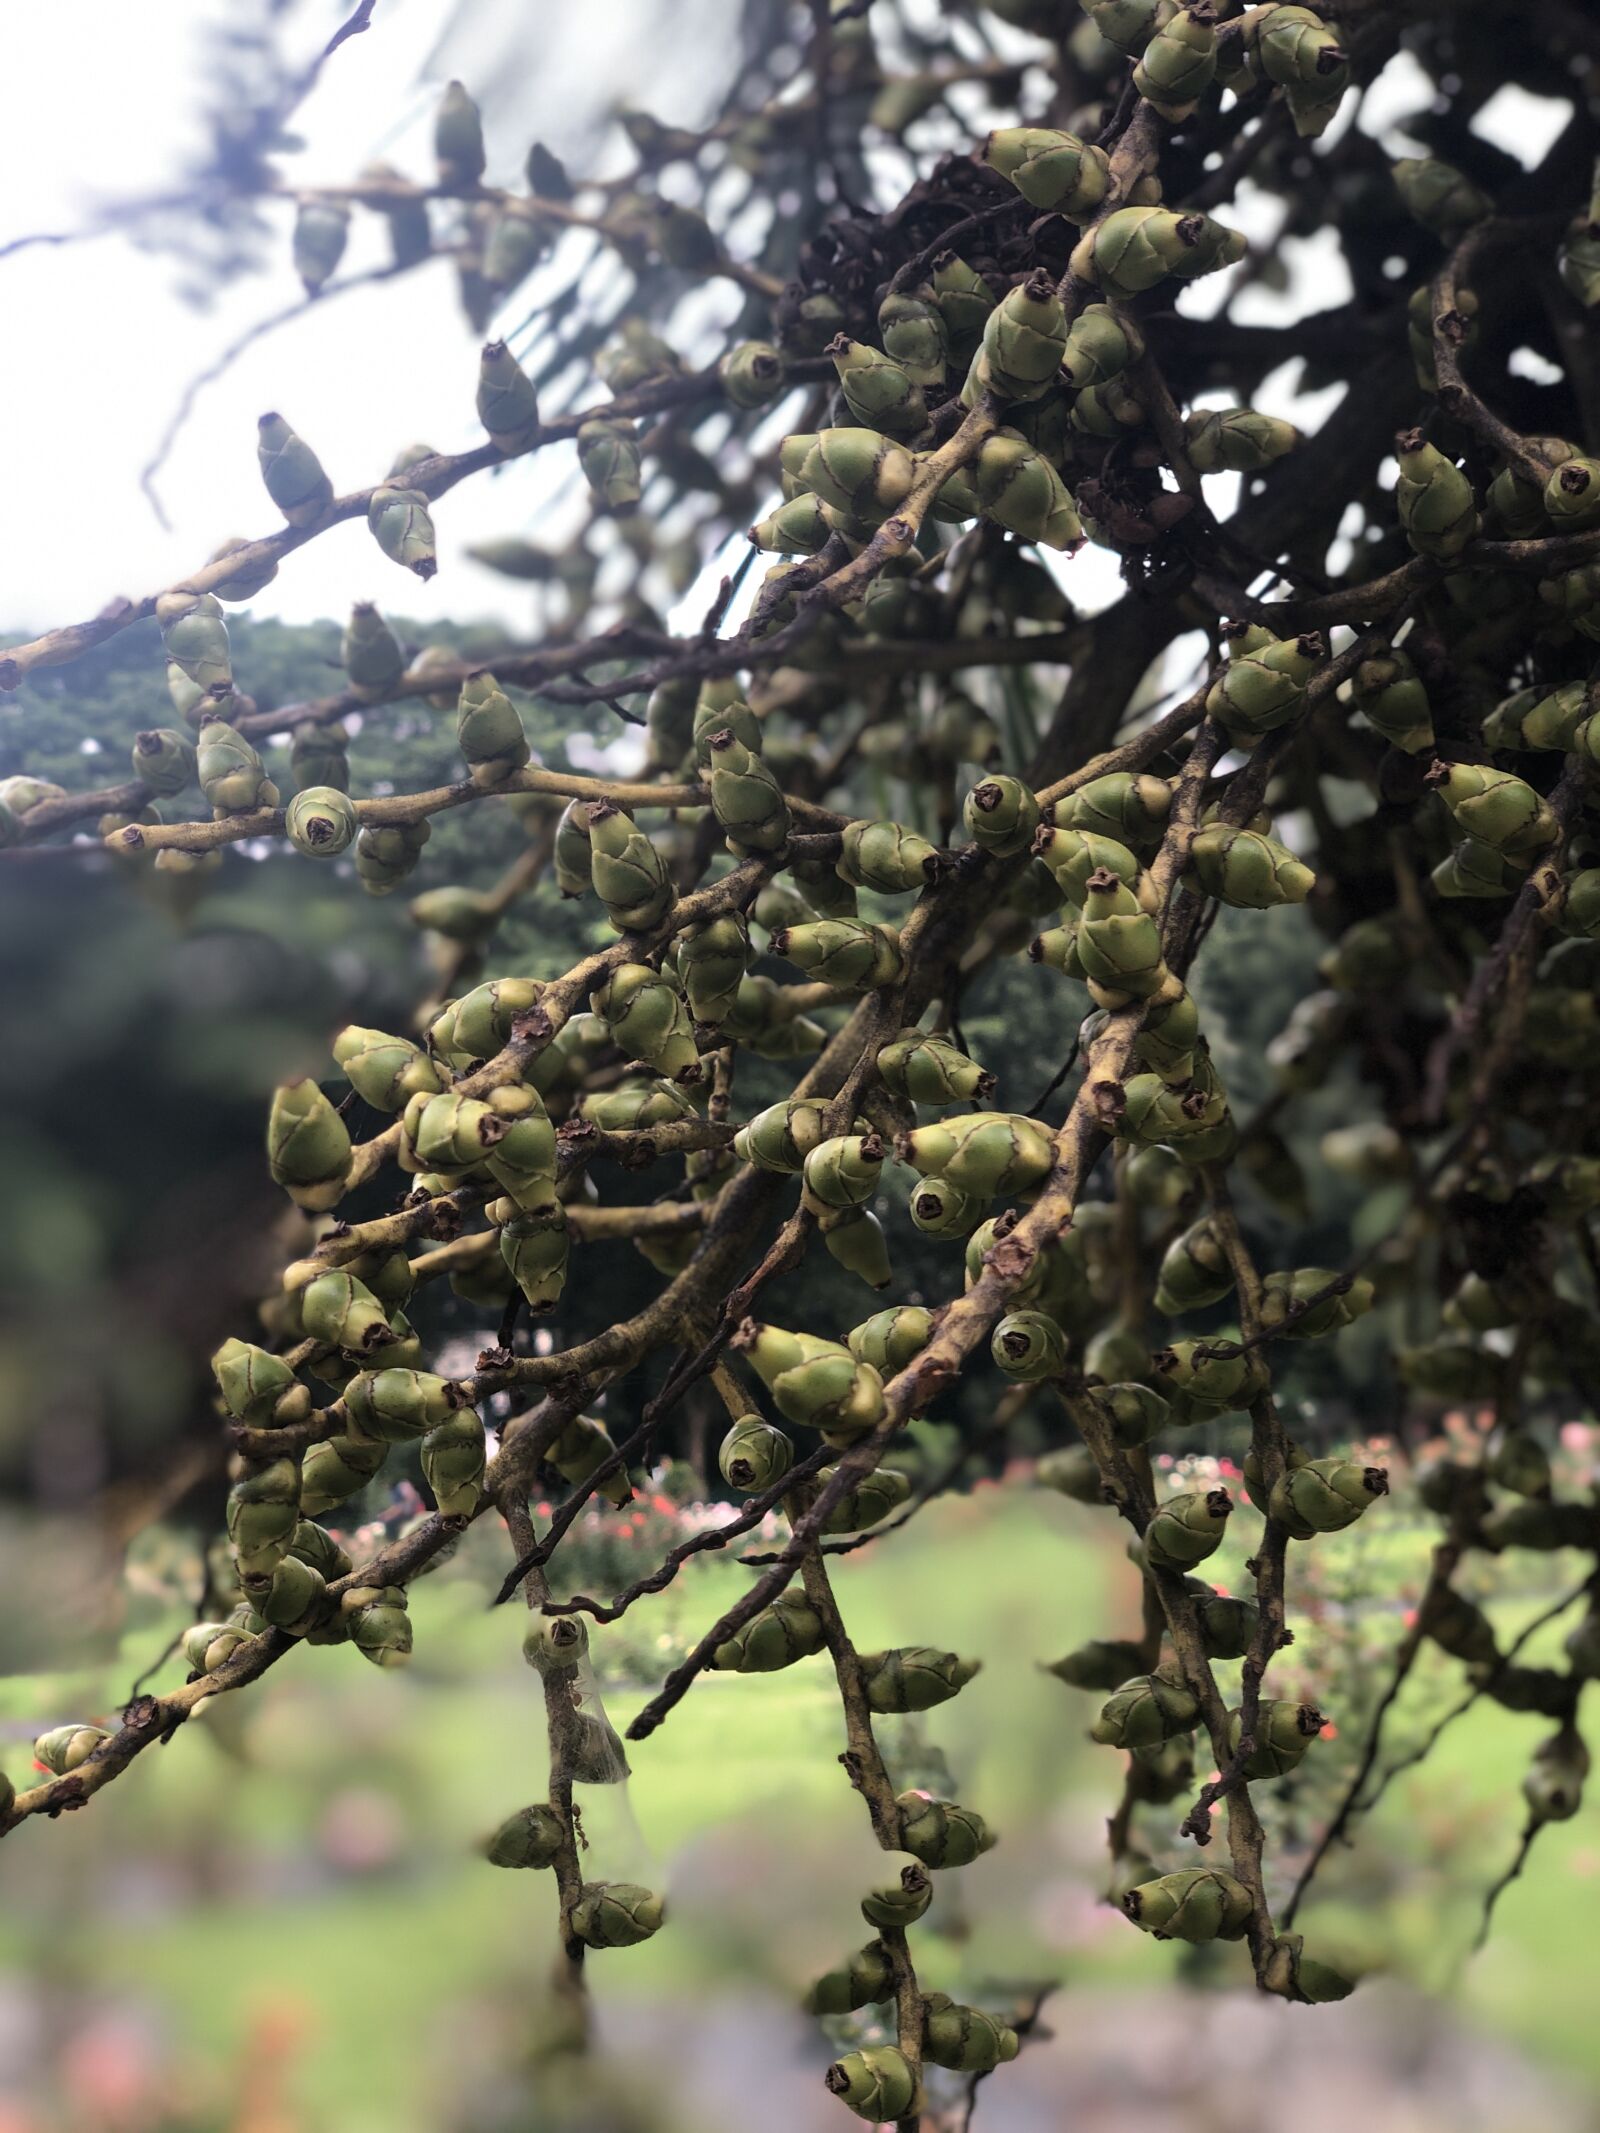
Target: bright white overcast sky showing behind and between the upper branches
97, 344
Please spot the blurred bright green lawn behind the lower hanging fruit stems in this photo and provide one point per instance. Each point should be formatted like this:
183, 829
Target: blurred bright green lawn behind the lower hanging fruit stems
306, 1850
